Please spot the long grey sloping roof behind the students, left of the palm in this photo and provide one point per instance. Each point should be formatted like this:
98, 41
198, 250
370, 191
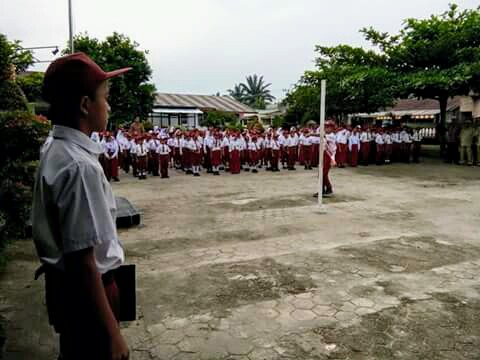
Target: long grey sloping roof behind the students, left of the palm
202, 102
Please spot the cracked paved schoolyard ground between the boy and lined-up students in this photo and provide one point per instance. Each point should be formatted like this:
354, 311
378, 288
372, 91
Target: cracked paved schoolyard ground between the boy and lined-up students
243, 267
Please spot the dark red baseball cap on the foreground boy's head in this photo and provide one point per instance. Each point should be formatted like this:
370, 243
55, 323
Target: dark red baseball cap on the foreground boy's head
74, 74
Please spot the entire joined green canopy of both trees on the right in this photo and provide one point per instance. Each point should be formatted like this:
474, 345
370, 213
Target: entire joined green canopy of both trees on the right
437, 58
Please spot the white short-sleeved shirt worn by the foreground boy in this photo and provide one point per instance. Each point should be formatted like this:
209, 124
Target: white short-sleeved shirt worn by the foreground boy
73, 203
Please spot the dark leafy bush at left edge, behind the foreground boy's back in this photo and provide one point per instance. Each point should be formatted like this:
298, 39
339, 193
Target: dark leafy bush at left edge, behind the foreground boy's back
21, 138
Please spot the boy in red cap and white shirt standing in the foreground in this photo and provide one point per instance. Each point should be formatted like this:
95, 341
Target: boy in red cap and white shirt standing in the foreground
73, 214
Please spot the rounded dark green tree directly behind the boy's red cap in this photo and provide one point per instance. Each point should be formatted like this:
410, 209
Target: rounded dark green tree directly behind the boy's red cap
131, 94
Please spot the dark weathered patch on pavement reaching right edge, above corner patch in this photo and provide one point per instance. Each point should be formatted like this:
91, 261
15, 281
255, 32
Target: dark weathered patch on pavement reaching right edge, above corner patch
409, 254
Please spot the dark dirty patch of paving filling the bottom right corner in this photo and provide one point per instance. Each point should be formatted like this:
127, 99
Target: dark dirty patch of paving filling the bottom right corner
446, 327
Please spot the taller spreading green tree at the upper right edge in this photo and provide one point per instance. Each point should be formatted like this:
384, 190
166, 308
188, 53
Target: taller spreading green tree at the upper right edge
435, 58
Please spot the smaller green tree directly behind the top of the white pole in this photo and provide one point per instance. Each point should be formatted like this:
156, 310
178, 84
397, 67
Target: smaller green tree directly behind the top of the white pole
357, 81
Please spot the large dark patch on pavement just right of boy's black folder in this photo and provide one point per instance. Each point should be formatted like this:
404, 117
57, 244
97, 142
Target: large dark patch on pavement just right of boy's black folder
221, 287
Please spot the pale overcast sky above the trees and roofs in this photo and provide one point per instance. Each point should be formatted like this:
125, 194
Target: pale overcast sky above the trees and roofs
205, 46
